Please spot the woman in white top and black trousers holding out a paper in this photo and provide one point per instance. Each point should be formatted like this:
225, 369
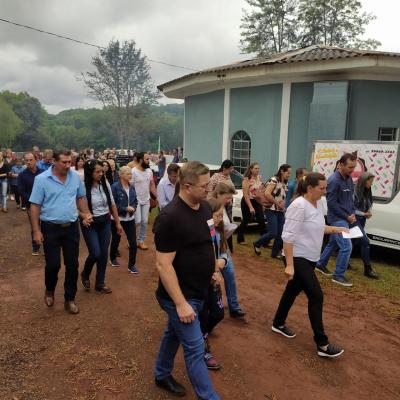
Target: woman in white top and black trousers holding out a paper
302, 236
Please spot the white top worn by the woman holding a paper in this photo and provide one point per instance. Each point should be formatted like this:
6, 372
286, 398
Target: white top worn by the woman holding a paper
304, 227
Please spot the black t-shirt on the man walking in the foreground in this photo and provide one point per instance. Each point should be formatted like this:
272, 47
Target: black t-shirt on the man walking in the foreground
178, 228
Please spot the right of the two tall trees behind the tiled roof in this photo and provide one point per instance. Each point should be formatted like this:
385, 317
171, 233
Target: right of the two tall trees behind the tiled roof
334, 23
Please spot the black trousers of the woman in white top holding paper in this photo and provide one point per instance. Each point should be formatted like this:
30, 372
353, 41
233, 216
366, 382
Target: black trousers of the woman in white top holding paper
304, 280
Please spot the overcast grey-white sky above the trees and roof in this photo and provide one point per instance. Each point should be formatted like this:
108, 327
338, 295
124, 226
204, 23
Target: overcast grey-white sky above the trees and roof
192, 33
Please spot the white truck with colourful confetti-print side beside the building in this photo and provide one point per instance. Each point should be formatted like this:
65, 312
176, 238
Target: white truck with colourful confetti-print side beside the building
382, 159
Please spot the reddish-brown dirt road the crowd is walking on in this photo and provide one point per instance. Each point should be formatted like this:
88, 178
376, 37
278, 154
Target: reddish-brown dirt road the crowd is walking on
108, 350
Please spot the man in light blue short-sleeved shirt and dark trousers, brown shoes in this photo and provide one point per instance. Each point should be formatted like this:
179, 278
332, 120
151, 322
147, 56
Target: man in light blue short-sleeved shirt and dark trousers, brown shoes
57, 196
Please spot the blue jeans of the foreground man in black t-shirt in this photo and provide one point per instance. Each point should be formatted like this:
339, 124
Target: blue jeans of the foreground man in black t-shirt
191, 338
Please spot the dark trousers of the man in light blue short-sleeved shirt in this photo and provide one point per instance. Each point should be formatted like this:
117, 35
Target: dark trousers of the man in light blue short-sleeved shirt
57, 238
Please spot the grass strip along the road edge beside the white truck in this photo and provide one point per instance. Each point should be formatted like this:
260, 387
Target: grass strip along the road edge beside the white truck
384, 261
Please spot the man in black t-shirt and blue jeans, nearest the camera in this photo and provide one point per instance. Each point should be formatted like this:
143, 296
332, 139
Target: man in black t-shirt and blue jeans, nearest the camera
186, 262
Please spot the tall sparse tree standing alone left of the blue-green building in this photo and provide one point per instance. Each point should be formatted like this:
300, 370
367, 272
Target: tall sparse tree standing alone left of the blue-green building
121, 81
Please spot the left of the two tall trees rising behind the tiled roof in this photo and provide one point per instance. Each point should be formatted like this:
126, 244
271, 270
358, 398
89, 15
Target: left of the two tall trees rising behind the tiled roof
269, 27
